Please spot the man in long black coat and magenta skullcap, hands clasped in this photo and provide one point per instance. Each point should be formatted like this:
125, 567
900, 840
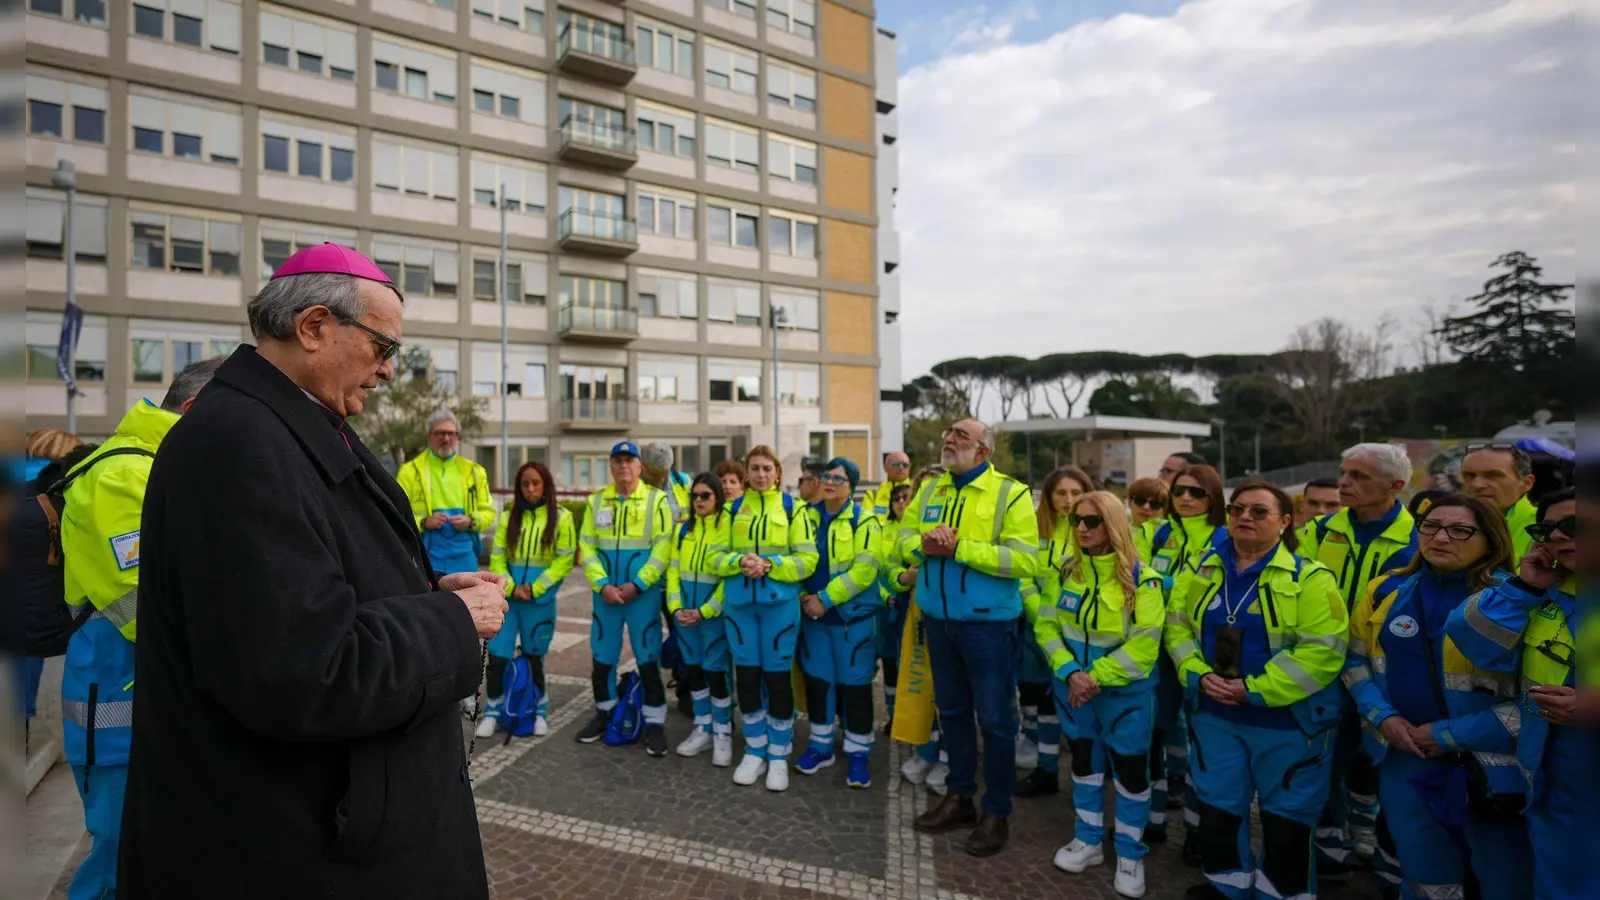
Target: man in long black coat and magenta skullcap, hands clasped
297, 728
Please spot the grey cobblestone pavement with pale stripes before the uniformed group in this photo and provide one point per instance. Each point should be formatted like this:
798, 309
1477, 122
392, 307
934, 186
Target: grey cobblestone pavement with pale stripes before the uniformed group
570, 821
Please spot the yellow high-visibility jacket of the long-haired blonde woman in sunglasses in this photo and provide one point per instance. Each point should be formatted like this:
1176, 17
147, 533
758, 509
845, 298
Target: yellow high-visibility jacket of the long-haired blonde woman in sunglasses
1095, 627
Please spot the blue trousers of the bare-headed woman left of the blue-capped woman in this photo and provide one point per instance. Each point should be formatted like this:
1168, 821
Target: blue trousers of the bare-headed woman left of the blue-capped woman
764, 638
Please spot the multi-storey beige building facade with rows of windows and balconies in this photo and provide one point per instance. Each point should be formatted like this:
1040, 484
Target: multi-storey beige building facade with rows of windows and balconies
671, 174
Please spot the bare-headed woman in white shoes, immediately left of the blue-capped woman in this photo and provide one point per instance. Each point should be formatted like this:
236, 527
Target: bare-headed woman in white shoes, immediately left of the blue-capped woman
770, 553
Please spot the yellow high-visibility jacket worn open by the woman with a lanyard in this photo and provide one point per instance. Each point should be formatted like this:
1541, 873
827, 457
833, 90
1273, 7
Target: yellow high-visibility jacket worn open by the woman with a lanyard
1308, 632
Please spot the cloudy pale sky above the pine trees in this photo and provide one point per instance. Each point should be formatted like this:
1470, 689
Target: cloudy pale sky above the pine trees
1206, 177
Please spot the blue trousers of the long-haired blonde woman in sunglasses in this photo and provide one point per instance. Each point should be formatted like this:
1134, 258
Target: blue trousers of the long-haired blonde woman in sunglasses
1111, 729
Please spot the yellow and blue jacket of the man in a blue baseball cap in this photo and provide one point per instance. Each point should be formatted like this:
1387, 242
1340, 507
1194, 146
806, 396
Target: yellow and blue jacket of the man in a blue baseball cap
626, 540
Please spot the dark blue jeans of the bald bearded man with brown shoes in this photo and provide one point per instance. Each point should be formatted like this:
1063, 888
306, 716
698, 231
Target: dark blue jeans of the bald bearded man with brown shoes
975, 673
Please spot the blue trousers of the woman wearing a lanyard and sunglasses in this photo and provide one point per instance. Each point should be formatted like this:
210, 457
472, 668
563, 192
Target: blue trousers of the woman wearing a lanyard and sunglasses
1287, 774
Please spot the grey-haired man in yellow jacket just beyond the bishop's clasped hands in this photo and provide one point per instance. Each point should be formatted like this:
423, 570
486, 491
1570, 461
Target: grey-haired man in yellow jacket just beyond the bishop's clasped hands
450, 497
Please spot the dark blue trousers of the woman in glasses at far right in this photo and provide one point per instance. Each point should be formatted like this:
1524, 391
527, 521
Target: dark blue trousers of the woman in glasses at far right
1434, 858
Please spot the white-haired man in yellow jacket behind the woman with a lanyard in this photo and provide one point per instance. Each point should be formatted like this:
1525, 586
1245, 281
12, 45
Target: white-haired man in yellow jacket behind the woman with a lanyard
1372, 536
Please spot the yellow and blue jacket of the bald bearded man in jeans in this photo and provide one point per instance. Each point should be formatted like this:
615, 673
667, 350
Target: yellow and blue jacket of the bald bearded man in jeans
996, 552
